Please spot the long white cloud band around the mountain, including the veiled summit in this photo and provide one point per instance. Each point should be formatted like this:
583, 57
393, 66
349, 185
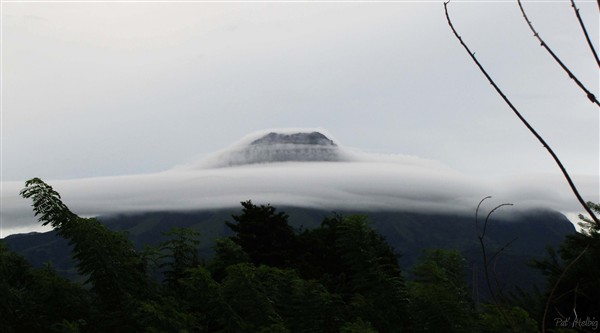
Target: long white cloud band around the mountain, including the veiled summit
297, 168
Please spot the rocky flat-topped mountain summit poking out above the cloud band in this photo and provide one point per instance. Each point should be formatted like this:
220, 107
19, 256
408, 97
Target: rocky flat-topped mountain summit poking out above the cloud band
275, 147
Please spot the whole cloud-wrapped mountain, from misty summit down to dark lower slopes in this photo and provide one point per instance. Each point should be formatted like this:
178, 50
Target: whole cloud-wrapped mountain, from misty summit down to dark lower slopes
414, 203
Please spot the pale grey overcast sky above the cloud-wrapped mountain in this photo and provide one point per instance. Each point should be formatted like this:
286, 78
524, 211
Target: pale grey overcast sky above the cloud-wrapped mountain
103, 90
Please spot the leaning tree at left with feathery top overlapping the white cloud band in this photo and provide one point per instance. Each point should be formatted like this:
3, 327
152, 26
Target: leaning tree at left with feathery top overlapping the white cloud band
115, 270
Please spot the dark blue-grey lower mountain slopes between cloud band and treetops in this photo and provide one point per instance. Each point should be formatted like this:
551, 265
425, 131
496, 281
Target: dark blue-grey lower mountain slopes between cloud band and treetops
531, 233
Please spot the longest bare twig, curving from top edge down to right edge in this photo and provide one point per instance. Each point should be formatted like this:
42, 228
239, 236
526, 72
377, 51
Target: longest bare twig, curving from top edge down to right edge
529, 127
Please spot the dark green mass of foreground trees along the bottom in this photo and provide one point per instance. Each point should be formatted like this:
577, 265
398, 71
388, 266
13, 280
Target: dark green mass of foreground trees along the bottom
268, 276
